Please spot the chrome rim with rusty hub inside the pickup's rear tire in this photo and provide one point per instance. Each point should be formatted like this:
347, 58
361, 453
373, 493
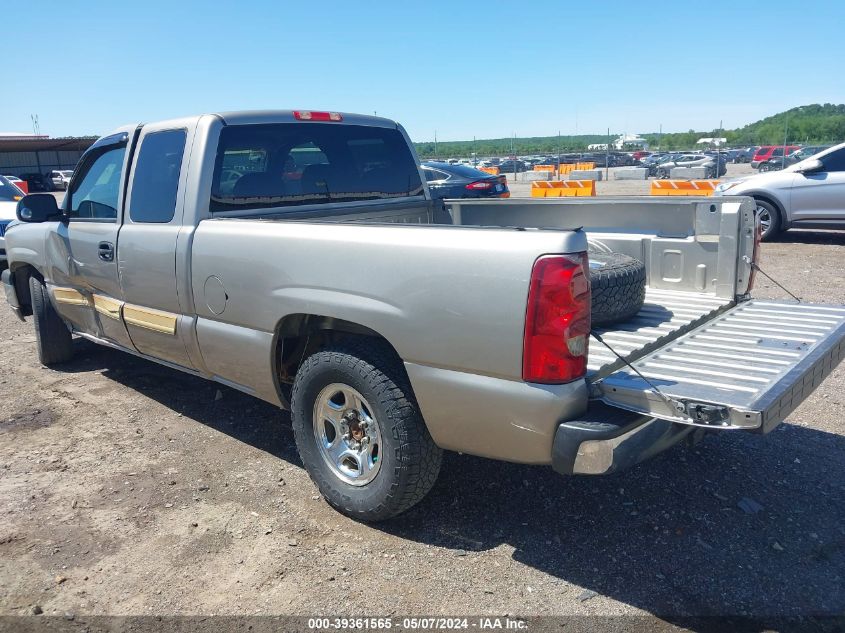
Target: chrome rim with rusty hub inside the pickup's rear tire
347, 434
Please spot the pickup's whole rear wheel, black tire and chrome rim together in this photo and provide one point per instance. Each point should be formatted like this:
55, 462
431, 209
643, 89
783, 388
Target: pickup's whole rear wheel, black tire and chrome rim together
360, 434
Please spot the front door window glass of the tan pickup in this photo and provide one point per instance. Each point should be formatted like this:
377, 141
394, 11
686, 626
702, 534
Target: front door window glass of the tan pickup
95, 192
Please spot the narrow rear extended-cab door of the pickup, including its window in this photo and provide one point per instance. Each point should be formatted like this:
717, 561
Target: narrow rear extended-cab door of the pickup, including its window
147, 249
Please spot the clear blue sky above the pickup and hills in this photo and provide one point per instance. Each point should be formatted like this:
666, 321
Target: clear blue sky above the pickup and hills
484, 69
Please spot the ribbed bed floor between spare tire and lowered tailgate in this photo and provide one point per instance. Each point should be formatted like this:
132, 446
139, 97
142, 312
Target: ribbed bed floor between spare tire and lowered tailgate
666, 315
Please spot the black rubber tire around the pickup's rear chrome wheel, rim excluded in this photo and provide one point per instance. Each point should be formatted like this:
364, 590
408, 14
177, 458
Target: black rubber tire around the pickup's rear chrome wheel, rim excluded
410, 460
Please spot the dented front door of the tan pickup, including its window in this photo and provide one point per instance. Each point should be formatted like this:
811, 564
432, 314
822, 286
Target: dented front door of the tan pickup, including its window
81, 265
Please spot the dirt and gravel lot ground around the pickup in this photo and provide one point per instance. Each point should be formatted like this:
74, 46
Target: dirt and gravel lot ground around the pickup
129, 488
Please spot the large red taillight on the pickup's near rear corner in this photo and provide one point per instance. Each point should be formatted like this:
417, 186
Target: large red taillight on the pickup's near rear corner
557, 320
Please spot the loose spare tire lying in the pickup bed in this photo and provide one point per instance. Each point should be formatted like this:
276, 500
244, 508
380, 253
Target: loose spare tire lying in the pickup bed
617, 283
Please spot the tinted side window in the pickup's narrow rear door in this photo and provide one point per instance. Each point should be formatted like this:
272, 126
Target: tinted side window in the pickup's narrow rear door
156, 178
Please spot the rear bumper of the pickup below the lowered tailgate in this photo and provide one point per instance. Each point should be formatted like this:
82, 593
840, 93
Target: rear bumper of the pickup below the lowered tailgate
608, 440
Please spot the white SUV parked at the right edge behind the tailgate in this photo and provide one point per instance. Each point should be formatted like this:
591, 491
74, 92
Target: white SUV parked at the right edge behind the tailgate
808, 194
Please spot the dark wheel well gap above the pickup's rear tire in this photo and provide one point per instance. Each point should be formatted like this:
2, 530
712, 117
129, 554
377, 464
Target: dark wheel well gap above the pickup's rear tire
298, 336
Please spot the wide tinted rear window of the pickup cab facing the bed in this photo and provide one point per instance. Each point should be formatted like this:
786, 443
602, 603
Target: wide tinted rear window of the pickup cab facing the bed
289, 164
